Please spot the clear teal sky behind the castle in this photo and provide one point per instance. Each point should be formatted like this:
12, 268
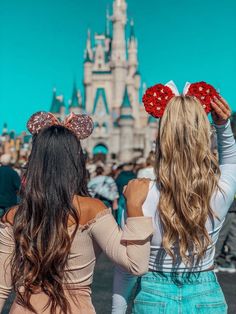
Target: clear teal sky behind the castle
42, 44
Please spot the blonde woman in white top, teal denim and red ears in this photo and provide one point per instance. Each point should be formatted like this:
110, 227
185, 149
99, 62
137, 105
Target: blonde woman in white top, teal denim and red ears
188, 203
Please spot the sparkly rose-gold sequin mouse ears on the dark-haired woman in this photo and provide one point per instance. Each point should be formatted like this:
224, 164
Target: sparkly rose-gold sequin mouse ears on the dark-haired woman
80, 124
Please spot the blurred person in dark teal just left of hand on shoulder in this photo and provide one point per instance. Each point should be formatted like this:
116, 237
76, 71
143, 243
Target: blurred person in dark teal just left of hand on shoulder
126, 174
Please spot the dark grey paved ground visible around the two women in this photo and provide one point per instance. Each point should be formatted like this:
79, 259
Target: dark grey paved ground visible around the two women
103, 284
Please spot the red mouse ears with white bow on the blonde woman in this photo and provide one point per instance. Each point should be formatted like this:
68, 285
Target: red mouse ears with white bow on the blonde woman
157, 97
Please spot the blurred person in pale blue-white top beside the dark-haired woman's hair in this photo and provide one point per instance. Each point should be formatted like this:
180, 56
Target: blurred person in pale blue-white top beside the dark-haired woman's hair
104, 188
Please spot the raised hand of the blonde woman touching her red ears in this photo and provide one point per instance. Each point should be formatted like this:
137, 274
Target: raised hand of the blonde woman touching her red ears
221, 112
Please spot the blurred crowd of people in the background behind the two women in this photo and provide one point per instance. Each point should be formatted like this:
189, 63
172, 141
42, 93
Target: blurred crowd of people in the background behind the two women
106, 182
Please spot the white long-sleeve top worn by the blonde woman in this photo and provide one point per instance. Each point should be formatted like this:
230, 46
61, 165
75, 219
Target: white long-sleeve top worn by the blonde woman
220, 203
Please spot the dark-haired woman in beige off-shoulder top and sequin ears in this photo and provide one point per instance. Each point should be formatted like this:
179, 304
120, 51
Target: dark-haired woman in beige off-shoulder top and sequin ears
49, 243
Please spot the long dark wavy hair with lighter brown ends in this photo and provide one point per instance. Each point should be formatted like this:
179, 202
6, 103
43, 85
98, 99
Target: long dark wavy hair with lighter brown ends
55, 173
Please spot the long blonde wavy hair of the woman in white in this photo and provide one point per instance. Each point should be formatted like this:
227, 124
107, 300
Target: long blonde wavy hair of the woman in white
187, 175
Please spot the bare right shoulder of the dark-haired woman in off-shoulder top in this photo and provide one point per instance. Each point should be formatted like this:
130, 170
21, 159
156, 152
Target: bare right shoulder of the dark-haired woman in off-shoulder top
89, 208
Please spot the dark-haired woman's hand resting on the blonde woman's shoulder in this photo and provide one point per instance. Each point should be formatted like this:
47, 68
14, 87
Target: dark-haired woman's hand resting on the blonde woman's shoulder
136, 193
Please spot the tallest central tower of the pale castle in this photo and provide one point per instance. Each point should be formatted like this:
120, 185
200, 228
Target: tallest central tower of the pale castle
118, 55
